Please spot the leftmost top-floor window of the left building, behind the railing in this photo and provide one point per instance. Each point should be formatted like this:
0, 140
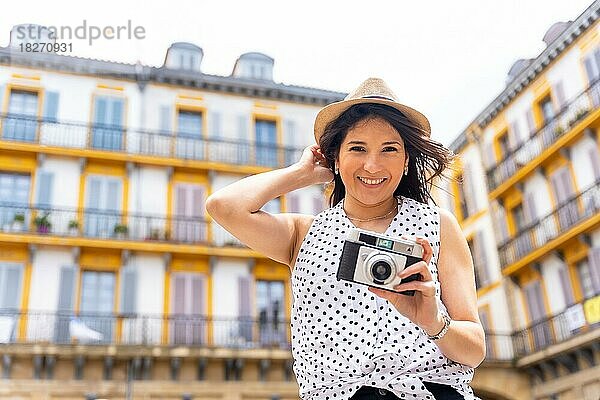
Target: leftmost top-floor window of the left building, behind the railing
21, 123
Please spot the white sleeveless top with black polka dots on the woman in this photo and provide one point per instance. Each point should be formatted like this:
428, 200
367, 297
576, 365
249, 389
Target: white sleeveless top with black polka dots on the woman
344, 337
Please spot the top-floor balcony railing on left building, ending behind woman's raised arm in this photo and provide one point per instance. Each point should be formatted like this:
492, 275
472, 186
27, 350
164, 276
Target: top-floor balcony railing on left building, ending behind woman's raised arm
20, 128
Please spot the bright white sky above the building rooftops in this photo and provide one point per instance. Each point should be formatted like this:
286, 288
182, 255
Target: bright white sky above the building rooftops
447, 59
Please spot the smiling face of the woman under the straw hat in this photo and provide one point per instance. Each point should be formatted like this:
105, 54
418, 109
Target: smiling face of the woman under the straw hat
373, 150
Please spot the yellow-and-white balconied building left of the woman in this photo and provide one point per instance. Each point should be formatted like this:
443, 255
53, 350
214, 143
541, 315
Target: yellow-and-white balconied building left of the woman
114, 281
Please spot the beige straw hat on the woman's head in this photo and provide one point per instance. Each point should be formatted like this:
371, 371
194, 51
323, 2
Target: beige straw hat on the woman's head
373, 90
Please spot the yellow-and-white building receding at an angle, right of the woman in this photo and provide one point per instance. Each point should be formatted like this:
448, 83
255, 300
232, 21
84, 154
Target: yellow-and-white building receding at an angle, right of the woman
527, 195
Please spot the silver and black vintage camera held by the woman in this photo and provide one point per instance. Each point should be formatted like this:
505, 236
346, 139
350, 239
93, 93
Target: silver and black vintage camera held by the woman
375, 260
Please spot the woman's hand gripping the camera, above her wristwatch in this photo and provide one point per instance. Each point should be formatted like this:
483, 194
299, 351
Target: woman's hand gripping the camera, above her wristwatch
422, 308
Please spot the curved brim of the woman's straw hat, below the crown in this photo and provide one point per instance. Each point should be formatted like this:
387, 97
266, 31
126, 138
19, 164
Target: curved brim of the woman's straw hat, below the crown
334, 110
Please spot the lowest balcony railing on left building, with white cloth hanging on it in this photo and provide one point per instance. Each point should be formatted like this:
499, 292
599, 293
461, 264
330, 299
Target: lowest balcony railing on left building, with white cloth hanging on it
138, 329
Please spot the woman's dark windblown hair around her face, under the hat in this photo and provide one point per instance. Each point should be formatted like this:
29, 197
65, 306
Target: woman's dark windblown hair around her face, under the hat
427, 158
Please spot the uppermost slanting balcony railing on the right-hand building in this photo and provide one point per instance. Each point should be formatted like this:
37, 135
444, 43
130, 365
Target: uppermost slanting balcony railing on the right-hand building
571, 113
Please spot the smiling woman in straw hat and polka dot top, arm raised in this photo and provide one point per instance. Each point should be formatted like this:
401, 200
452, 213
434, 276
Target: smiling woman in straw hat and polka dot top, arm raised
350, 340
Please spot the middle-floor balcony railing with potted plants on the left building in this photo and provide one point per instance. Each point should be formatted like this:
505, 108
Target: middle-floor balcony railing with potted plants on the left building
102, 224
